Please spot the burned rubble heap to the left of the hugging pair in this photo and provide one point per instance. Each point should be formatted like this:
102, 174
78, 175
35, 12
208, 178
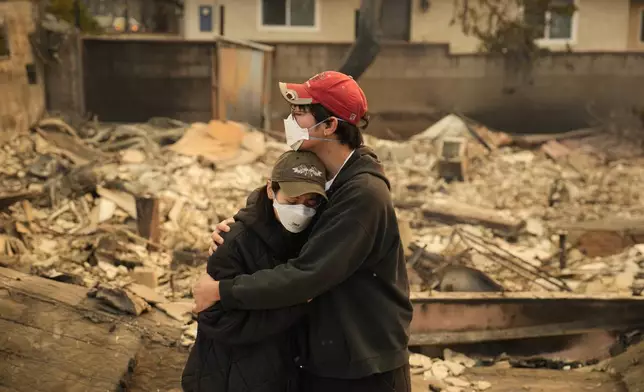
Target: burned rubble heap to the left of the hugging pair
125, 209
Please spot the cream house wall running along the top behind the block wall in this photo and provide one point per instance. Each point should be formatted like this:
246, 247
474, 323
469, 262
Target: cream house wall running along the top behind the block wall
598, 25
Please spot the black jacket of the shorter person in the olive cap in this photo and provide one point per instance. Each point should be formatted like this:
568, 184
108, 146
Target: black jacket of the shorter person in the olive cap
241, 350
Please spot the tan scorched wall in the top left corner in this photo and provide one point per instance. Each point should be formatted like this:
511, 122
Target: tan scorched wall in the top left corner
21, 103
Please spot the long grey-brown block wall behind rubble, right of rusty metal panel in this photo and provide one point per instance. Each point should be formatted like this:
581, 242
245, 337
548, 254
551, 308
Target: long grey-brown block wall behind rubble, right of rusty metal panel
553, 96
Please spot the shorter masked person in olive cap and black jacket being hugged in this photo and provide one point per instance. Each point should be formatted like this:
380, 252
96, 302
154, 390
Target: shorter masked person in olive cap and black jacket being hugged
233, 349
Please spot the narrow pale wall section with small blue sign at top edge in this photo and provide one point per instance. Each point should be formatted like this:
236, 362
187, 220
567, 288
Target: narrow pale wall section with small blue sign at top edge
196, 11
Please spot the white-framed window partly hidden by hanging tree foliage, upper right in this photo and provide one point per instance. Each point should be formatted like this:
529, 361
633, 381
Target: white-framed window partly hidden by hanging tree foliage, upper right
556, 22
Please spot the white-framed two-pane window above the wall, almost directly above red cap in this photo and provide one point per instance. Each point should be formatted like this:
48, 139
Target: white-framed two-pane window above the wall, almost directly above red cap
290, 13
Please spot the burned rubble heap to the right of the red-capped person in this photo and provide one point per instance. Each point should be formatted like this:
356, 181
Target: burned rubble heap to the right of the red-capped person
559, 212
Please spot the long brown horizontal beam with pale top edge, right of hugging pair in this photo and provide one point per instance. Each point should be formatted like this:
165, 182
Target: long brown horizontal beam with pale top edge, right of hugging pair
450, 318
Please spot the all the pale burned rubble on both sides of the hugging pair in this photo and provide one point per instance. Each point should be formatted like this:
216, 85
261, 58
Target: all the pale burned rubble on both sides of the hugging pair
127, 209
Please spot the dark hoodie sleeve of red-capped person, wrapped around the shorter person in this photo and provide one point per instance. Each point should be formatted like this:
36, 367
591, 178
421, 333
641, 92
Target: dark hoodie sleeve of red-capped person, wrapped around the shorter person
337, 247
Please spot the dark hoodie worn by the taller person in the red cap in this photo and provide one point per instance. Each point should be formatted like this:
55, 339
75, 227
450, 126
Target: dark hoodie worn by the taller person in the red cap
354, 269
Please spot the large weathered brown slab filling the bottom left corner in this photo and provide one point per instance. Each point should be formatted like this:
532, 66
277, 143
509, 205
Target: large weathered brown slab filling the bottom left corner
54, 338
